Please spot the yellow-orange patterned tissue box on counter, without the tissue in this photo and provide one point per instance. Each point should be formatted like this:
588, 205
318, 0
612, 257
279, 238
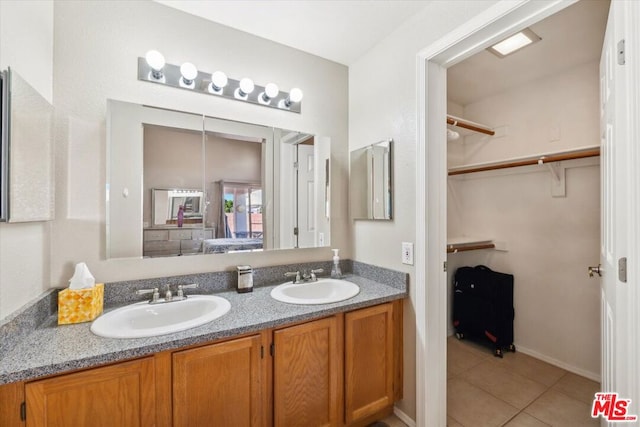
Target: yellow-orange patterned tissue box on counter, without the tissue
80, 305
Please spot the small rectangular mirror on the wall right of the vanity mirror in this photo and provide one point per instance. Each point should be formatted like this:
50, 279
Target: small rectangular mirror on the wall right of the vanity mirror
370, 183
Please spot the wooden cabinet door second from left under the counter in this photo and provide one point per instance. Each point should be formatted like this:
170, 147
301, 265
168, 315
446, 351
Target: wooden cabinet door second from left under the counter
219, 385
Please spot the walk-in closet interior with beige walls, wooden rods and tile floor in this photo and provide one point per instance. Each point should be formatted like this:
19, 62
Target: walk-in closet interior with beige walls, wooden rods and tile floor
524, 199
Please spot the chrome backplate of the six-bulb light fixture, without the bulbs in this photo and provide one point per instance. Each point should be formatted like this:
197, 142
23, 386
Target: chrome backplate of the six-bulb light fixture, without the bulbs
202, 83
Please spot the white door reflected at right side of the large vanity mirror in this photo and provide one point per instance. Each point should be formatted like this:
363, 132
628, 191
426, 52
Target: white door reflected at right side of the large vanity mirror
306, 196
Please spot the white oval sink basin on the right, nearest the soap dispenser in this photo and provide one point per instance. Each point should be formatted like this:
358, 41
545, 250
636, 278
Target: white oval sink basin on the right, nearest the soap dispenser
324, 291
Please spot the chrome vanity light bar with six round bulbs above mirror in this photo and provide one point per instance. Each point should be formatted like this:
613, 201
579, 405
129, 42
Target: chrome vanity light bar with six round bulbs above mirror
198, 81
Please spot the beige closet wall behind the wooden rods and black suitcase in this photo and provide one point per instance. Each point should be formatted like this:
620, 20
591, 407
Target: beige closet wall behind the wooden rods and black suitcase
550, 240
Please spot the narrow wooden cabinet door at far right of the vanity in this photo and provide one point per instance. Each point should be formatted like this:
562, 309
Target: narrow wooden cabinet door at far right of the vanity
369, 367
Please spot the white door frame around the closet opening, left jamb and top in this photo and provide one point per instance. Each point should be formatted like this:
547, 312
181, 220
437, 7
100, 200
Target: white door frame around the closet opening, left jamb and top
494, 24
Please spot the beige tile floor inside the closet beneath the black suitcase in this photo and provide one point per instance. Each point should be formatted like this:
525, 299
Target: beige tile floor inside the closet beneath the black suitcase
516, 391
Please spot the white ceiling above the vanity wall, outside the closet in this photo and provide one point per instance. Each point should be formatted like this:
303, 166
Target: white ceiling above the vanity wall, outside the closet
338, 30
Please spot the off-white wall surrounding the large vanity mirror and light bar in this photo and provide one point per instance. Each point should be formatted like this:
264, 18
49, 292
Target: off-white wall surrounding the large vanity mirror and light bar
96, 50
